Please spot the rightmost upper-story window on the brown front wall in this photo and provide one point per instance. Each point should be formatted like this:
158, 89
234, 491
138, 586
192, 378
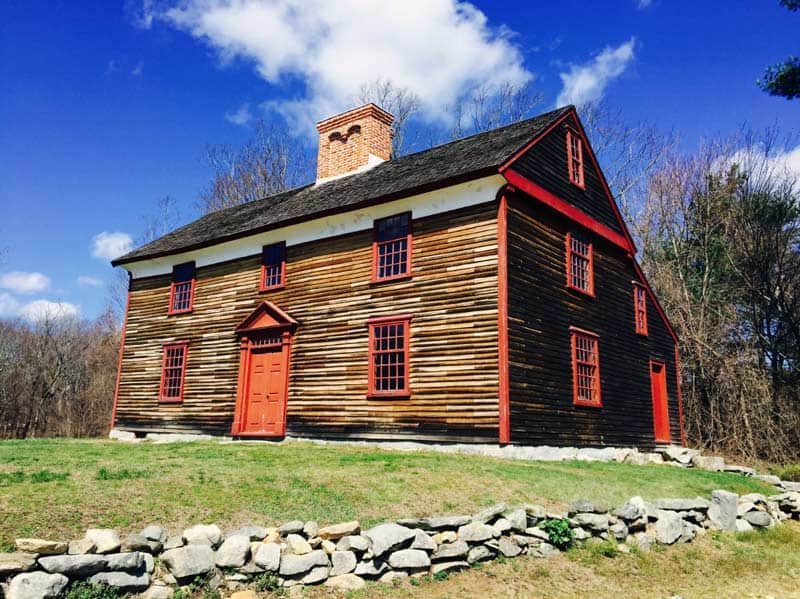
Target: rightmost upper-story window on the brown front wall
392, 248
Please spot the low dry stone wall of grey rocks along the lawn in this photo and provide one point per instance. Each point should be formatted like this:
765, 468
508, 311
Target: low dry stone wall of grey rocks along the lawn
153, 563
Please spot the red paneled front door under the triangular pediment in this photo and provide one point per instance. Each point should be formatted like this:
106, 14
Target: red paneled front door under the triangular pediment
265, 400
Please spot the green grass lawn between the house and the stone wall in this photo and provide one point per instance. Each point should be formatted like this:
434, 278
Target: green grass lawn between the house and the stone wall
58, 488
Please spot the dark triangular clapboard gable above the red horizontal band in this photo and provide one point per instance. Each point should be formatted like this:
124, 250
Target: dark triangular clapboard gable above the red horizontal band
546, 165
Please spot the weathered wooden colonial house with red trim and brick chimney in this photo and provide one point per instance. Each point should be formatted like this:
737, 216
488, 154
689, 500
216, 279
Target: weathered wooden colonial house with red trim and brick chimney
484, 290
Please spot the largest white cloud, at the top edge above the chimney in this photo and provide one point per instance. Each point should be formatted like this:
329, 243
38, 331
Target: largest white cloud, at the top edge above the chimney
439, 49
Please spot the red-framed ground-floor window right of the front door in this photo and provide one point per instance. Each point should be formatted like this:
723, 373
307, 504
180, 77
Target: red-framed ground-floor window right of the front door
393, 332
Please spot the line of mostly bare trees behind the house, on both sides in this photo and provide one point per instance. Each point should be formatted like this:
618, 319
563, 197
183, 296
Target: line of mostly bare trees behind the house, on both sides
718, 232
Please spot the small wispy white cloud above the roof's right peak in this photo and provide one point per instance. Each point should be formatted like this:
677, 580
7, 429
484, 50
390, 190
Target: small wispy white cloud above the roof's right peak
587, 82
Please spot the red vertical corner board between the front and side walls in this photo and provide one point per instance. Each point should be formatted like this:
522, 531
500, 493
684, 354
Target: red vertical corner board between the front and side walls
504, 409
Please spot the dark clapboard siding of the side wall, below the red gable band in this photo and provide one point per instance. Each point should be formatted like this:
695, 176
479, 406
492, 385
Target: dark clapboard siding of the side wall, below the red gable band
541, 310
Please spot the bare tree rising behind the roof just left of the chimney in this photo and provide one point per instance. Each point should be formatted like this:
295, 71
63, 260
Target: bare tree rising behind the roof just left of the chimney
271, 161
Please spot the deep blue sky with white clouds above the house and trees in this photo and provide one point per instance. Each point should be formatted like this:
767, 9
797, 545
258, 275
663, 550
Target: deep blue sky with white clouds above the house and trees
106, 107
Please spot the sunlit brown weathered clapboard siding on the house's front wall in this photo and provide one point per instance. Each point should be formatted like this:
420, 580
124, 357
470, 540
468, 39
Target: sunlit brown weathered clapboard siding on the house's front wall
453, 346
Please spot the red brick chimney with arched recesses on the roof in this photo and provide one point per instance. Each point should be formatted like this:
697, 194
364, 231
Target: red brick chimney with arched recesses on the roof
352, 141
